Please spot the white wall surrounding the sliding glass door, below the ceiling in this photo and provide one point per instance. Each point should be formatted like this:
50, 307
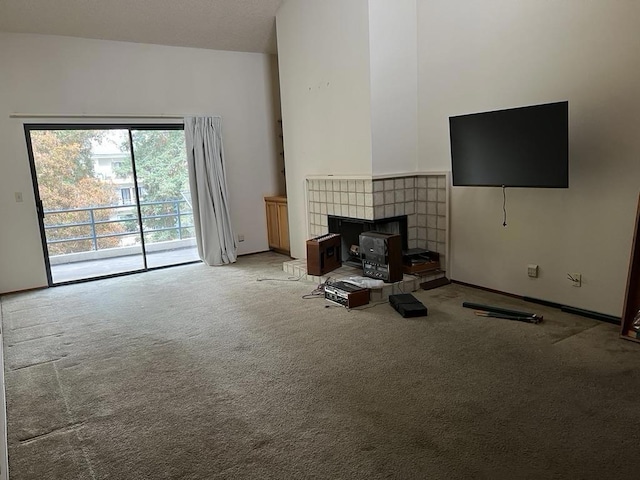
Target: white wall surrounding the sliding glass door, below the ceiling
47, 74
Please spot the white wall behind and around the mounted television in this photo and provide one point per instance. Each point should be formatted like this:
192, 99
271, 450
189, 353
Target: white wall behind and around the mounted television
478, 56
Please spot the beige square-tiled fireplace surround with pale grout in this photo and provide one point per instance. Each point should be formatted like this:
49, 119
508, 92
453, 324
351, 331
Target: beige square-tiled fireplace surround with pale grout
422, 198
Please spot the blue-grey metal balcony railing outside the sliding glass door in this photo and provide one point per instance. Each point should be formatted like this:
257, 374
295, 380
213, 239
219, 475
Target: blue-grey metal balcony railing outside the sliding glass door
182, 225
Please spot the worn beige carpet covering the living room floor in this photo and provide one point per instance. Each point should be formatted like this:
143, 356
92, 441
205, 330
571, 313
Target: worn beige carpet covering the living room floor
206, 373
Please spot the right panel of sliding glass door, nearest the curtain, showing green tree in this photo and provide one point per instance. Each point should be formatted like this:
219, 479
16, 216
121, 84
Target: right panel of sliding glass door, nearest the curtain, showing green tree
165, 199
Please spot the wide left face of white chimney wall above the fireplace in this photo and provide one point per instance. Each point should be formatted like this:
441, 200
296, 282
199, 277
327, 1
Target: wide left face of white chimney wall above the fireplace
323, 54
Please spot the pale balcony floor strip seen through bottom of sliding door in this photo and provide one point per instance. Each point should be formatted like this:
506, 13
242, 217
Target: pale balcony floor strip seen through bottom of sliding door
68, 272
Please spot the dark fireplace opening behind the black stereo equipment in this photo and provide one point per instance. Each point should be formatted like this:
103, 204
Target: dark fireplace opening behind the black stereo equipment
351, 228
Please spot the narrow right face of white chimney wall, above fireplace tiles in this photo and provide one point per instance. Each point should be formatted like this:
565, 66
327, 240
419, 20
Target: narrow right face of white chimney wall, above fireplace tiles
394, 85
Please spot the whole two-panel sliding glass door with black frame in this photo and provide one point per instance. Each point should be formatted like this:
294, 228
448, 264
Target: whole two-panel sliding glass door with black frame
111, 199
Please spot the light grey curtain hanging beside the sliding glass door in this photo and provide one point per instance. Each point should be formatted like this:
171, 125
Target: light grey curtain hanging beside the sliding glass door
210, 199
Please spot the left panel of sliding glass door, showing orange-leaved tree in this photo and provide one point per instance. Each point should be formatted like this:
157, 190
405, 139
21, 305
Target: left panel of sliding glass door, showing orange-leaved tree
87, 204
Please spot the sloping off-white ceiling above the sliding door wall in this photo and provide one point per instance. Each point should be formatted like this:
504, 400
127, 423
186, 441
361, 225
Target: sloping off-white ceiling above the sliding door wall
237, 25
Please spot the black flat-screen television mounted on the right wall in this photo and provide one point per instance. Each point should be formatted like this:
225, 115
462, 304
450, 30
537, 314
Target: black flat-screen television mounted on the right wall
517, 147
